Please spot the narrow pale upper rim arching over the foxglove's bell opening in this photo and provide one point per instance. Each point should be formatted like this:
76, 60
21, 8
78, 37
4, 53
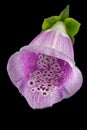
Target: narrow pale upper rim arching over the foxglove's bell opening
48, 51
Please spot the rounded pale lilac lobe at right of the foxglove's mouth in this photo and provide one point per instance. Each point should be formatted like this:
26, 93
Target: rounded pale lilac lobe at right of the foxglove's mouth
73, 84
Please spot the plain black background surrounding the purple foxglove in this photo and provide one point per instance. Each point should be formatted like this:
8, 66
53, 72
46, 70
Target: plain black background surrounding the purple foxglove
20, 23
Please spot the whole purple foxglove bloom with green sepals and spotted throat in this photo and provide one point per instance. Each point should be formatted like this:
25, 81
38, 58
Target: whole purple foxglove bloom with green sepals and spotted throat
44, 71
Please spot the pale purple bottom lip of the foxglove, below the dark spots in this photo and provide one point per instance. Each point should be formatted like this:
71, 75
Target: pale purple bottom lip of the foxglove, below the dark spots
37, 100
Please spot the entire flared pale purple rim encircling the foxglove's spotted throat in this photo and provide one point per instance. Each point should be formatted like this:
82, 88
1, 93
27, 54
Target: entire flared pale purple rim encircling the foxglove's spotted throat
17, 69
